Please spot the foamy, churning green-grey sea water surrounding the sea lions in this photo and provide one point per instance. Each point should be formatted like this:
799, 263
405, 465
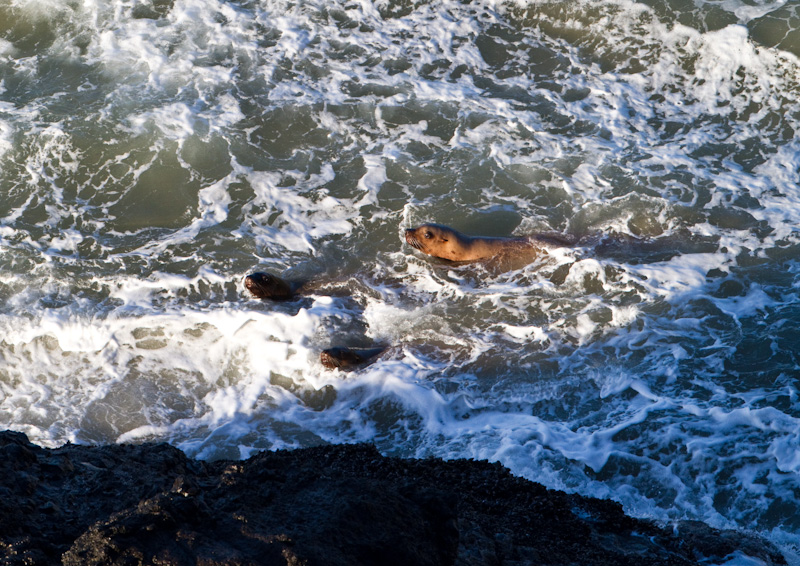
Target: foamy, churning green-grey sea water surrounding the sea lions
154, 152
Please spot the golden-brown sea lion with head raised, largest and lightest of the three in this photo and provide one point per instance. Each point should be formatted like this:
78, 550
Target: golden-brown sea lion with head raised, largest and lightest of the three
444, 242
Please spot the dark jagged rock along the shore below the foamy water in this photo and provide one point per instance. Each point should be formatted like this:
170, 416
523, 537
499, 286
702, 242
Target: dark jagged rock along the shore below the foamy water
330, 505
